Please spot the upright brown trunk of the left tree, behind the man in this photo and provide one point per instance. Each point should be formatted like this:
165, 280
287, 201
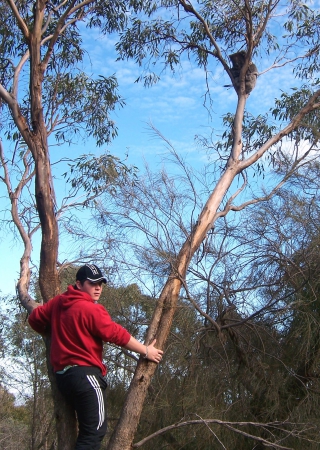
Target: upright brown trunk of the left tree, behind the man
35, 136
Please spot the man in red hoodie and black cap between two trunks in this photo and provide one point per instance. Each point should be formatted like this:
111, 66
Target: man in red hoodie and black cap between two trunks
79, 325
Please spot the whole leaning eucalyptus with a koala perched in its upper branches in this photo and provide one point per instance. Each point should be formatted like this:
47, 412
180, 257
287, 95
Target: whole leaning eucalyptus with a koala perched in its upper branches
231, 35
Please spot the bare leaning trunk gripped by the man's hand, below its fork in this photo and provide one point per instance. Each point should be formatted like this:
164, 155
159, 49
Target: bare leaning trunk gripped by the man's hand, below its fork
161, 322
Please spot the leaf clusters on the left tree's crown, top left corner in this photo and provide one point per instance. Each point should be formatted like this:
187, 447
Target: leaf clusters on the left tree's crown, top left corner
73, 102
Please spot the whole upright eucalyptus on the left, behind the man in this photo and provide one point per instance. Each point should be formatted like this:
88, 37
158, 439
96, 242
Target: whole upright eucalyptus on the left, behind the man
46, 96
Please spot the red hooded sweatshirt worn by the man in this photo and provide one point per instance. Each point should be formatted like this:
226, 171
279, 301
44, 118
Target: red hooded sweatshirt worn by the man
78, 329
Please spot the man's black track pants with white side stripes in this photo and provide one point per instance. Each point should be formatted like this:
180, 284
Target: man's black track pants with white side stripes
85, 388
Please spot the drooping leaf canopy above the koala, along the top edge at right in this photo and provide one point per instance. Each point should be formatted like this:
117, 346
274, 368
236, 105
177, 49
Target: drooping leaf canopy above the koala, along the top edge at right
216, 30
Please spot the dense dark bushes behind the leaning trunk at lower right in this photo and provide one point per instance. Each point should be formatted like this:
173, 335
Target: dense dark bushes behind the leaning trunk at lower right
263, 370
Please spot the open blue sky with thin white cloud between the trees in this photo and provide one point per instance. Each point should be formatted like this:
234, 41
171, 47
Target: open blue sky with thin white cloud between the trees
174, 106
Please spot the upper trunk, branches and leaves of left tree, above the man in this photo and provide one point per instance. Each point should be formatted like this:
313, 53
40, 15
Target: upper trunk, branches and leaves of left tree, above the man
43, 40
